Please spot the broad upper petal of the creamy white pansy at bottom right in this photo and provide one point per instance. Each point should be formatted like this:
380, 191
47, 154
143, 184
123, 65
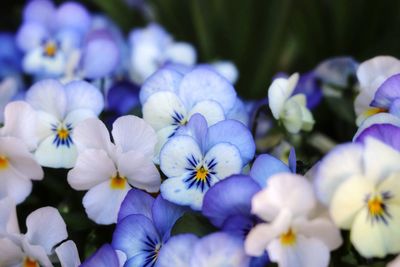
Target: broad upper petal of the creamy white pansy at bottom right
284, 191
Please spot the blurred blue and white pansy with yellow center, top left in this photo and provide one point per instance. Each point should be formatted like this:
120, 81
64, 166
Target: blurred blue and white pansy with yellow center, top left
49, 35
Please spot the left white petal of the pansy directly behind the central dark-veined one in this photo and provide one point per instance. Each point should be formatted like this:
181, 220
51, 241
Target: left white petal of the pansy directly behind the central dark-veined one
160, 109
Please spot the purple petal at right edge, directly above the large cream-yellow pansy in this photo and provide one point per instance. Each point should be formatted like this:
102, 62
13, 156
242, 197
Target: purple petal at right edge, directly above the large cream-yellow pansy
387, 133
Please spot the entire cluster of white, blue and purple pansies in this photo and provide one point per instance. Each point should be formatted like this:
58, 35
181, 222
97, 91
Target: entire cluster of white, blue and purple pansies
193, 150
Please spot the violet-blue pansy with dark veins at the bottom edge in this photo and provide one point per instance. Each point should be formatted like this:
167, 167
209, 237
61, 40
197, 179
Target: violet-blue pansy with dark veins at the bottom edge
144, 226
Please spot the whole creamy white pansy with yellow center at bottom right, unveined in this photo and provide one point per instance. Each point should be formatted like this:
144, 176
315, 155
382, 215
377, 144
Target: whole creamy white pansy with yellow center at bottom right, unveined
290, 237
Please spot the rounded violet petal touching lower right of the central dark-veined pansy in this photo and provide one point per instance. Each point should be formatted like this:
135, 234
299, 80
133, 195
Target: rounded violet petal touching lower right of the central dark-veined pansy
219, 202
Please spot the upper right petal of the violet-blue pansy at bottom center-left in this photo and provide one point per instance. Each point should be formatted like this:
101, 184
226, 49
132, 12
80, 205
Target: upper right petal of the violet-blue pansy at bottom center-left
165, 214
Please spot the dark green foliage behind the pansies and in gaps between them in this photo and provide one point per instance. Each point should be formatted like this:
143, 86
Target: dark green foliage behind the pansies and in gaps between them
262, 37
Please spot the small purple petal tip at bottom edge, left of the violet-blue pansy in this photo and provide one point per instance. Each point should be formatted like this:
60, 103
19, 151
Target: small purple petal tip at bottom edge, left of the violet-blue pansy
103, 257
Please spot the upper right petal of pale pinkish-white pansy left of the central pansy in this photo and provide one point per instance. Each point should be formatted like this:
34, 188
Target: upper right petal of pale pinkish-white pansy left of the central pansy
133, 133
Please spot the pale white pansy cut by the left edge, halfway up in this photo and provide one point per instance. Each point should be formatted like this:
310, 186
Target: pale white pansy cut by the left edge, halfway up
18, 166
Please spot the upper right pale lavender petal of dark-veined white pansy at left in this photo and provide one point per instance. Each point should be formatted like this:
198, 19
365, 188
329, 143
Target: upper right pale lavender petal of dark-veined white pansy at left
83, 95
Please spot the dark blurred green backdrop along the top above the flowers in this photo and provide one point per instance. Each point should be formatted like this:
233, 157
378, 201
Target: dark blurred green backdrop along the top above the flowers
262, 37
